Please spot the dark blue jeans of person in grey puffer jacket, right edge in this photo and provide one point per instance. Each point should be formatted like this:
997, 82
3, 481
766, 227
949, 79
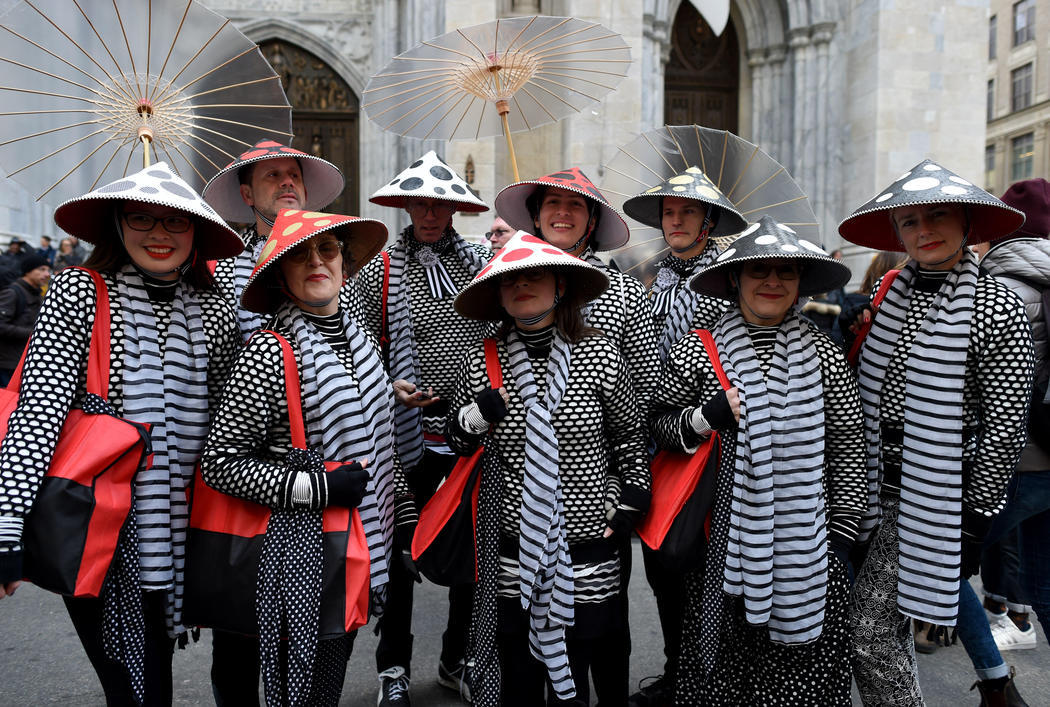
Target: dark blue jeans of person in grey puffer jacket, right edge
1028, 511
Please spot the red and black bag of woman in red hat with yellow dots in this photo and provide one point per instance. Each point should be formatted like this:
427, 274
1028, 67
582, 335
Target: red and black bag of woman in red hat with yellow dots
224, 547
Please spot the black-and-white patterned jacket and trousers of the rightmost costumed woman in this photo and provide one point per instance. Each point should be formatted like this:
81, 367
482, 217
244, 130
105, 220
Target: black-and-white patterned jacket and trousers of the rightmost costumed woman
996, 396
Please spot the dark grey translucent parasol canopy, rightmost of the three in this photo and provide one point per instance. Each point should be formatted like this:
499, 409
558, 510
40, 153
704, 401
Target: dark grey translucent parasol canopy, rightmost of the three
755, 183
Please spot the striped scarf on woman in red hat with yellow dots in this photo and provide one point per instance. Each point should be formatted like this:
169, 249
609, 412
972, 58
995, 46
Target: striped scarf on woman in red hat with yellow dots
350, 419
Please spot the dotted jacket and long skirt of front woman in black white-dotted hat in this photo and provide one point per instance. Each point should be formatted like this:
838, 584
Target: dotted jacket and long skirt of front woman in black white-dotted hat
750, 669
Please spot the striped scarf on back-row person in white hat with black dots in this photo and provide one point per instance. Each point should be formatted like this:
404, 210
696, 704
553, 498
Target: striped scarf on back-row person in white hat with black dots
404, 359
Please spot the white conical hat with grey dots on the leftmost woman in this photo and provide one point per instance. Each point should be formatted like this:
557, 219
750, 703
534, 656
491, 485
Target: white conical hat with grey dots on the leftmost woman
91, 218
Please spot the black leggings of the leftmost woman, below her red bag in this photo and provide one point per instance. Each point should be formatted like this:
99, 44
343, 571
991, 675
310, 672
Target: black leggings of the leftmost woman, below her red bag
87, 616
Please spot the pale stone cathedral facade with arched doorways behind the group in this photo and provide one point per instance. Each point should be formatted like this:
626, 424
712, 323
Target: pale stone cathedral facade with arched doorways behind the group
847, 94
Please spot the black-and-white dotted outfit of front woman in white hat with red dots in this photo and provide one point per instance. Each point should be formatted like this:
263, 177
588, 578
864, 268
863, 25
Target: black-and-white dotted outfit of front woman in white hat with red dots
602, 453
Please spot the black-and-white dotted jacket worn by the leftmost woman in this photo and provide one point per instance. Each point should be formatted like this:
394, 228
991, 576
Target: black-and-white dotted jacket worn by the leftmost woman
55, 378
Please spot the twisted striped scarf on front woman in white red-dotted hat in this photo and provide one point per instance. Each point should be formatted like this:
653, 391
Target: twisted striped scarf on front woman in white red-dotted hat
548, 584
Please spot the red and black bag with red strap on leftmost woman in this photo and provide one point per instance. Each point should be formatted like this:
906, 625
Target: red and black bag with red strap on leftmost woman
85, 501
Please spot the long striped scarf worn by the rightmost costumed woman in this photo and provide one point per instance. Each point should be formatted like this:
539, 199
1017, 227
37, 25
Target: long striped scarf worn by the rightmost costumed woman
932, 466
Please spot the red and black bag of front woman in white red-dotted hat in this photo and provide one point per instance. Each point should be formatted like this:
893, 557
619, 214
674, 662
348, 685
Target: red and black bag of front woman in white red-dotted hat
446, 545
